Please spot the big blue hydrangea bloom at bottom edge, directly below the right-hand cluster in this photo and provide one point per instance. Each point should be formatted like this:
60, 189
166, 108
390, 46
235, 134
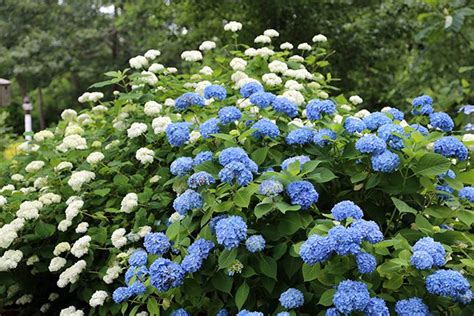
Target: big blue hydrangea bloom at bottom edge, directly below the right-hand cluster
351, 296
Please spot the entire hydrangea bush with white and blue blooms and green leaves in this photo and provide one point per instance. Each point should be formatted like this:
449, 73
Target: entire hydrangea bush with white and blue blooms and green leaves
244, 184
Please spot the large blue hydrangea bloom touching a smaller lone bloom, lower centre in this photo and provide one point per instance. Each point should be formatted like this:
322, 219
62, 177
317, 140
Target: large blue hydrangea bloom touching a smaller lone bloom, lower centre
230, 231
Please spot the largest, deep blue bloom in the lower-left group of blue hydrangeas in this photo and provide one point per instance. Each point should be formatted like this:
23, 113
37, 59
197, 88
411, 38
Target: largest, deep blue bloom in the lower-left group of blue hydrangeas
166, 274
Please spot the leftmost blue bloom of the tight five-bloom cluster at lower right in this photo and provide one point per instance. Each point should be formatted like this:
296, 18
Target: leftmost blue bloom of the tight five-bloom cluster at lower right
316, 249
